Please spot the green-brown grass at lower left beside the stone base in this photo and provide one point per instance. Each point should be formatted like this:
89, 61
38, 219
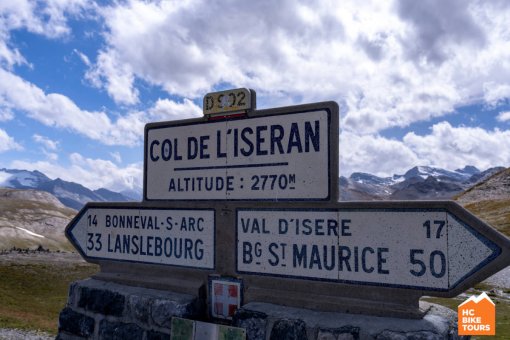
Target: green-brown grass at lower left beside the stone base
32, 295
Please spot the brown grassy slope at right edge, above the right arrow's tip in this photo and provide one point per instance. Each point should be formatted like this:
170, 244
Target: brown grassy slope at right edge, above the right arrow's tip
490, 200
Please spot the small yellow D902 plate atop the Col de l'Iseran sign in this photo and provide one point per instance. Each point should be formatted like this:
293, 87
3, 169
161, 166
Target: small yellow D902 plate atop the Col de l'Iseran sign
229, 101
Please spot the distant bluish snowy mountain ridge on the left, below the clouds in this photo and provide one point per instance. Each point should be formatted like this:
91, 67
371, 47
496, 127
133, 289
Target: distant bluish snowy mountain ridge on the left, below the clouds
72, 195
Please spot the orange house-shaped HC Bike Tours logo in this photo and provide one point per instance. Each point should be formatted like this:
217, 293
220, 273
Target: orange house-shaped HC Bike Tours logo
477, 316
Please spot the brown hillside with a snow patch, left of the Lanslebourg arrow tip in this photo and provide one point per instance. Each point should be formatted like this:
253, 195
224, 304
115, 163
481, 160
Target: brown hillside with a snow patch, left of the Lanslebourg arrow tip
31, 218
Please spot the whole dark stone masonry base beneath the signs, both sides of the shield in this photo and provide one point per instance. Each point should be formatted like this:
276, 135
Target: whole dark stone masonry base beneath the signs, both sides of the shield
105, 310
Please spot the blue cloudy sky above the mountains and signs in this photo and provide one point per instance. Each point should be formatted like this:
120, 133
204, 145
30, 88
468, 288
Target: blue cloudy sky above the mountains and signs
417, 82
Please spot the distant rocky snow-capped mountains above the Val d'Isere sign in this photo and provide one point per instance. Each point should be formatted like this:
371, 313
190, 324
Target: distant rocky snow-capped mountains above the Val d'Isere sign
418, 183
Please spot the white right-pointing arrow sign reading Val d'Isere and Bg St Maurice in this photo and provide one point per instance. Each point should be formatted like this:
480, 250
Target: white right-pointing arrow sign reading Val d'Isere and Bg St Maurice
426, 249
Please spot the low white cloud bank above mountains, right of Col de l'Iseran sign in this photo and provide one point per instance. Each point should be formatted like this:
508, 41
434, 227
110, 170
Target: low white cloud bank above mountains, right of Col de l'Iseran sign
445, 146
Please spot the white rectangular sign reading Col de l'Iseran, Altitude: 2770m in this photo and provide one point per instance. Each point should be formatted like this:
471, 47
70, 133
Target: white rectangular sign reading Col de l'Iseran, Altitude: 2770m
275, 157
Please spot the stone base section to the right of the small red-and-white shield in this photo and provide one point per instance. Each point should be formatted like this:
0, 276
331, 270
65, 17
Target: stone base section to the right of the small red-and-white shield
267, 321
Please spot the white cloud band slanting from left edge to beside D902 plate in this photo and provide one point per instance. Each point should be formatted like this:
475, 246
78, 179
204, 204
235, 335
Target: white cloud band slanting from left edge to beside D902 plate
54, 109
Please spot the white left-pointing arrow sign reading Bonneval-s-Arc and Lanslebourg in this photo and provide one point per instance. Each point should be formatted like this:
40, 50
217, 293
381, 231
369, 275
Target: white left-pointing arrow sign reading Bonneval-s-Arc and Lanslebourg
177, 237
